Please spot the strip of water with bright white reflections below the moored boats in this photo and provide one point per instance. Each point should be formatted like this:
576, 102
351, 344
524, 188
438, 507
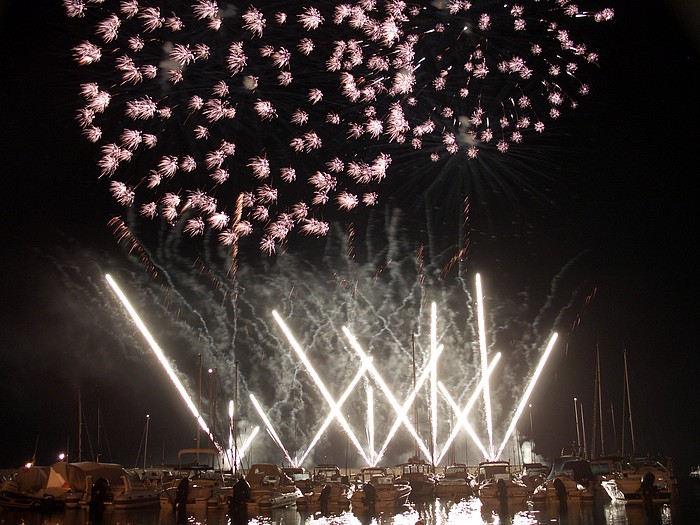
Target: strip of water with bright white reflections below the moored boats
470, 512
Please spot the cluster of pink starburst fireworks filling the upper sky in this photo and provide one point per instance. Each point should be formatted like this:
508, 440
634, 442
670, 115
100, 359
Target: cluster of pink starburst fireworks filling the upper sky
258, 119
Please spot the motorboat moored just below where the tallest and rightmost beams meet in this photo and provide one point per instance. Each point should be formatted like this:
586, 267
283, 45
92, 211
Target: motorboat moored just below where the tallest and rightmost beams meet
497, 486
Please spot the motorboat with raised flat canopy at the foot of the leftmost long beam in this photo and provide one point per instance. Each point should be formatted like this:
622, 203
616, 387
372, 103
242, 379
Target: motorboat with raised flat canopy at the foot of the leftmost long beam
209, 486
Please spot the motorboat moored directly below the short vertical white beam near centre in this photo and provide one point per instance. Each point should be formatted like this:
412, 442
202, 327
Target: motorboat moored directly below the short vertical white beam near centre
377, 489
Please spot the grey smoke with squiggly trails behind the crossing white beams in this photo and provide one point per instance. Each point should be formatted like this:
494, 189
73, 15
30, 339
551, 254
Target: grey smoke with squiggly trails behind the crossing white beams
233, 321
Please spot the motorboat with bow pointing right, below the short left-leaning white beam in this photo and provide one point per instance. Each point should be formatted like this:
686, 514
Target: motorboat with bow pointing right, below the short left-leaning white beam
270, 488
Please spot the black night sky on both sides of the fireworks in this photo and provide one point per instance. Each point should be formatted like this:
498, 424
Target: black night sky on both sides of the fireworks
619, 186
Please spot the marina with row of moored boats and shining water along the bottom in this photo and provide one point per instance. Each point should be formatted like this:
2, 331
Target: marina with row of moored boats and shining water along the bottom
496, 498
